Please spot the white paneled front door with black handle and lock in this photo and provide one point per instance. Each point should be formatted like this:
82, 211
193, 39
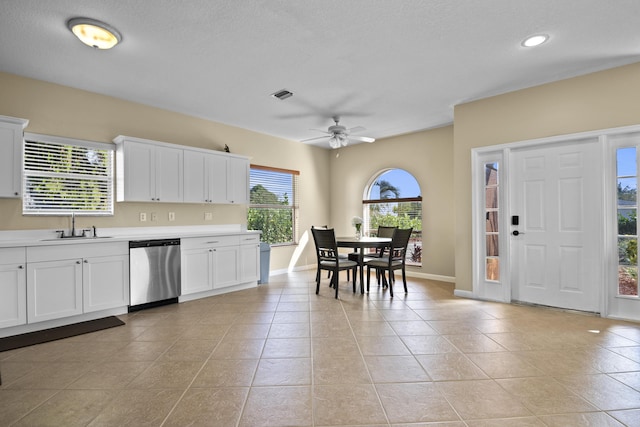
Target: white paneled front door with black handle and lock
556, 201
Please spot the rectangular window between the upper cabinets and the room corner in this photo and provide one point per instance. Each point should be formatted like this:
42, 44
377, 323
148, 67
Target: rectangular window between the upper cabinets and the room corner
273, 204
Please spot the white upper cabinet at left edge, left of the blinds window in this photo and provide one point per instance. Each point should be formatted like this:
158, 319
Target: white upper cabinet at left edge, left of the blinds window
11, 137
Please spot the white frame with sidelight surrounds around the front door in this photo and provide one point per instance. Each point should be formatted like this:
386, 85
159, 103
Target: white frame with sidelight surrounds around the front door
608, 236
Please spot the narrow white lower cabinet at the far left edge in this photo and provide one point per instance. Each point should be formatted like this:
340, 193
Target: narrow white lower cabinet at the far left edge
13, 287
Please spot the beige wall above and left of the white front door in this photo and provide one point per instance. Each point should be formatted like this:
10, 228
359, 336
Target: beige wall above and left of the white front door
600, 100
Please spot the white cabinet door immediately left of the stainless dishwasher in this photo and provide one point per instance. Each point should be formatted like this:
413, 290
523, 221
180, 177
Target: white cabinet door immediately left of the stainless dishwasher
105, 282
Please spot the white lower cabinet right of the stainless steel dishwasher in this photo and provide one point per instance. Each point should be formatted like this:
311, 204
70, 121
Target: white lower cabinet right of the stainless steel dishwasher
213, 263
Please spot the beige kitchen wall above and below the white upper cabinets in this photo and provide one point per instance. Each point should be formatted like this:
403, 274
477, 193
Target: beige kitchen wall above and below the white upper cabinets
63, 111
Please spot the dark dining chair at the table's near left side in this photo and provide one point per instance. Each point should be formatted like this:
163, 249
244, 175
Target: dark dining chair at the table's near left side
328, 259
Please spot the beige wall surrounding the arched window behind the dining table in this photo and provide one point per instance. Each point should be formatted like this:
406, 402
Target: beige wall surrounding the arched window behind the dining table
428, 156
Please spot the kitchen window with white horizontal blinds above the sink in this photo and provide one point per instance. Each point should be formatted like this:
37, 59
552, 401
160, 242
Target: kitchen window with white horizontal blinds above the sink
64, 176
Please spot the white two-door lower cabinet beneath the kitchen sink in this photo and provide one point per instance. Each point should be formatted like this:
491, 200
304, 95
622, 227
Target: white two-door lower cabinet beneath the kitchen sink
68, 280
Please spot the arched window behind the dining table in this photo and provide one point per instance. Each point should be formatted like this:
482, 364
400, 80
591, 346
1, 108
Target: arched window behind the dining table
393, 198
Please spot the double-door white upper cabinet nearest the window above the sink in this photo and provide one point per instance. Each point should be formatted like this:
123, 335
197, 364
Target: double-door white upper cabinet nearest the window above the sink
148, 171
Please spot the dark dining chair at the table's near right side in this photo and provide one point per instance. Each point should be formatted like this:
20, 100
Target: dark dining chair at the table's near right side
395, 260
